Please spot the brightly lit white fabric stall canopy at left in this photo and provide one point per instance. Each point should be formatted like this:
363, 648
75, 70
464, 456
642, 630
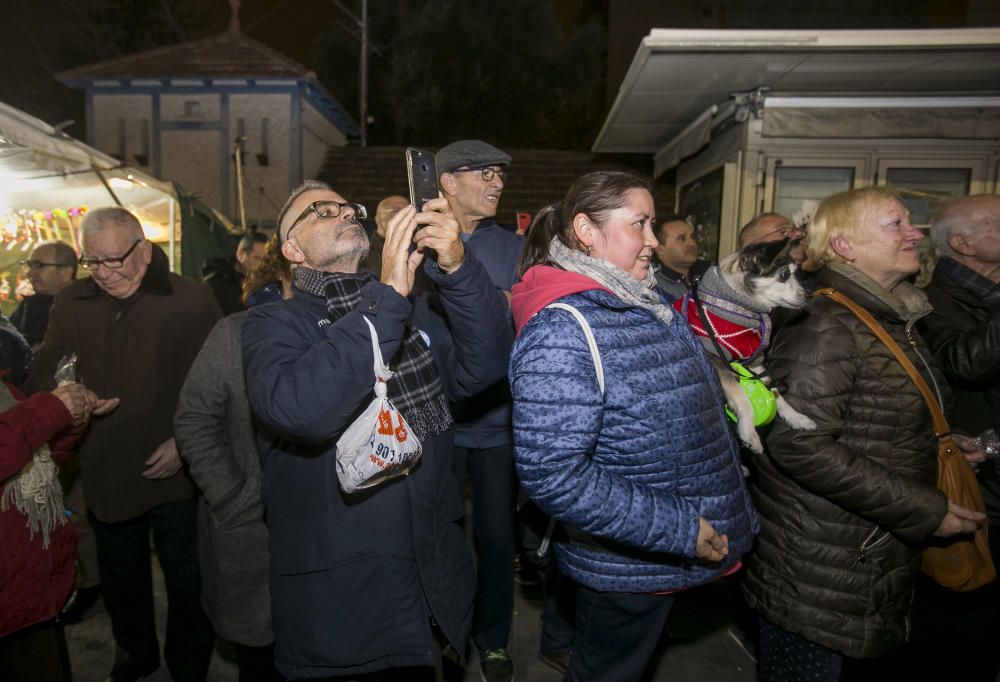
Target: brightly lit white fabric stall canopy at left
44, 170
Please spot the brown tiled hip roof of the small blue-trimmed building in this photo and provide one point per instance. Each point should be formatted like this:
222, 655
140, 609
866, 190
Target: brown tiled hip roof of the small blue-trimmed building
224, 55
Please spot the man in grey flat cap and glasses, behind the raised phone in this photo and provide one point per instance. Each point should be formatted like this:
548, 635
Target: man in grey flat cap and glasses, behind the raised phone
472, 176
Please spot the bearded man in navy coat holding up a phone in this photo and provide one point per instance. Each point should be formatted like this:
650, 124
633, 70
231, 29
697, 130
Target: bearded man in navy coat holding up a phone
367, 581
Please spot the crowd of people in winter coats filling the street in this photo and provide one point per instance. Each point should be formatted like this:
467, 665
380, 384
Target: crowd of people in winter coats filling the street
546, 376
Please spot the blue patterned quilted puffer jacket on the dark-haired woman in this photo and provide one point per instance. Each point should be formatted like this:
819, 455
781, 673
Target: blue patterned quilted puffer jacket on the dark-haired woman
663, 454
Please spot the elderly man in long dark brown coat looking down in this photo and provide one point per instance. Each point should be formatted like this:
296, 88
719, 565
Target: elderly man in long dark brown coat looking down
135, 328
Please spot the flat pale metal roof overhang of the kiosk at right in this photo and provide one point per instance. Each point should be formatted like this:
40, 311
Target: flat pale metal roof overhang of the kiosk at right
678, 77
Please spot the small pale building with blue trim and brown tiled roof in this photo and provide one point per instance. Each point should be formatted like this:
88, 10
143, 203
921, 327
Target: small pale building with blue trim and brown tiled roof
177, 112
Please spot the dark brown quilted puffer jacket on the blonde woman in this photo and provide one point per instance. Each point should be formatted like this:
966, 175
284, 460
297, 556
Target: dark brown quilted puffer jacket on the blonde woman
844, 508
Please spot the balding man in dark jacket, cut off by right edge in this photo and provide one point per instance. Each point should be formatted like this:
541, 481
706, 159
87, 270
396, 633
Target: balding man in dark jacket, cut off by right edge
963, 331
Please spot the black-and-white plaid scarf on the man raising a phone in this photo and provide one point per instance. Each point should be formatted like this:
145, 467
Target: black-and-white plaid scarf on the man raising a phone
415, 387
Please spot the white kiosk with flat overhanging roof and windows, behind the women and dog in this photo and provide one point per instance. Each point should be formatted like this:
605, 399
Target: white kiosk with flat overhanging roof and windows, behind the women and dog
755, 121
